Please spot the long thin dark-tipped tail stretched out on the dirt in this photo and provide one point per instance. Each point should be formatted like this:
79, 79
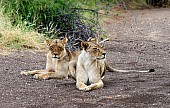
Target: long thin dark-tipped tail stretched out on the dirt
117, 70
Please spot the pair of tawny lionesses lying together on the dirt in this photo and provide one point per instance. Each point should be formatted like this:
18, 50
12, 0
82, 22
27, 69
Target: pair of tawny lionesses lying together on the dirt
87, 66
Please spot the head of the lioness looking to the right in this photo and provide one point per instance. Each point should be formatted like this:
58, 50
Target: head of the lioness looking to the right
93, 49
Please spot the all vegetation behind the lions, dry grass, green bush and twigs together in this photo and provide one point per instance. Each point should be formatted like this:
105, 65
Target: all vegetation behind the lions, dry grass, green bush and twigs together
25, 23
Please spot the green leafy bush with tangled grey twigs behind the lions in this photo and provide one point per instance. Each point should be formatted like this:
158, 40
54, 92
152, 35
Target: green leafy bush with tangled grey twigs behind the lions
54, 18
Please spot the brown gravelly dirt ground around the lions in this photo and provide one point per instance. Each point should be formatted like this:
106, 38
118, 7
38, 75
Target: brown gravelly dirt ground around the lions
140, 40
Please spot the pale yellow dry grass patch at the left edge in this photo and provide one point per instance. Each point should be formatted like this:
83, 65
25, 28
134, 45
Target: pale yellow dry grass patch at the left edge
15, 38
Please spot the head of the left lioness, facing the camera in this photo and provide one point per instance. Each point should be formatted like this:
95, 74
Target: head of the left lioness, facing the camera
57, 47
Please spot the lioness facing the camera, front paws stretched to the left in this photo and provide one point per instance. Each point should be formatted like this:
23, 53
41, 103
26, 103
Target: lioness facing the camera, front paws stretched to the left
58, 59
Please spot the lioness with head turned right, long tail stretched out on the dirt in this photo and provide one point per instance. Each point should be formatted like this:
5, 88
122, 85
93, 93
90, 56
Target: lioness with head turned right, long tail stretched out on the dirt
90, 67
